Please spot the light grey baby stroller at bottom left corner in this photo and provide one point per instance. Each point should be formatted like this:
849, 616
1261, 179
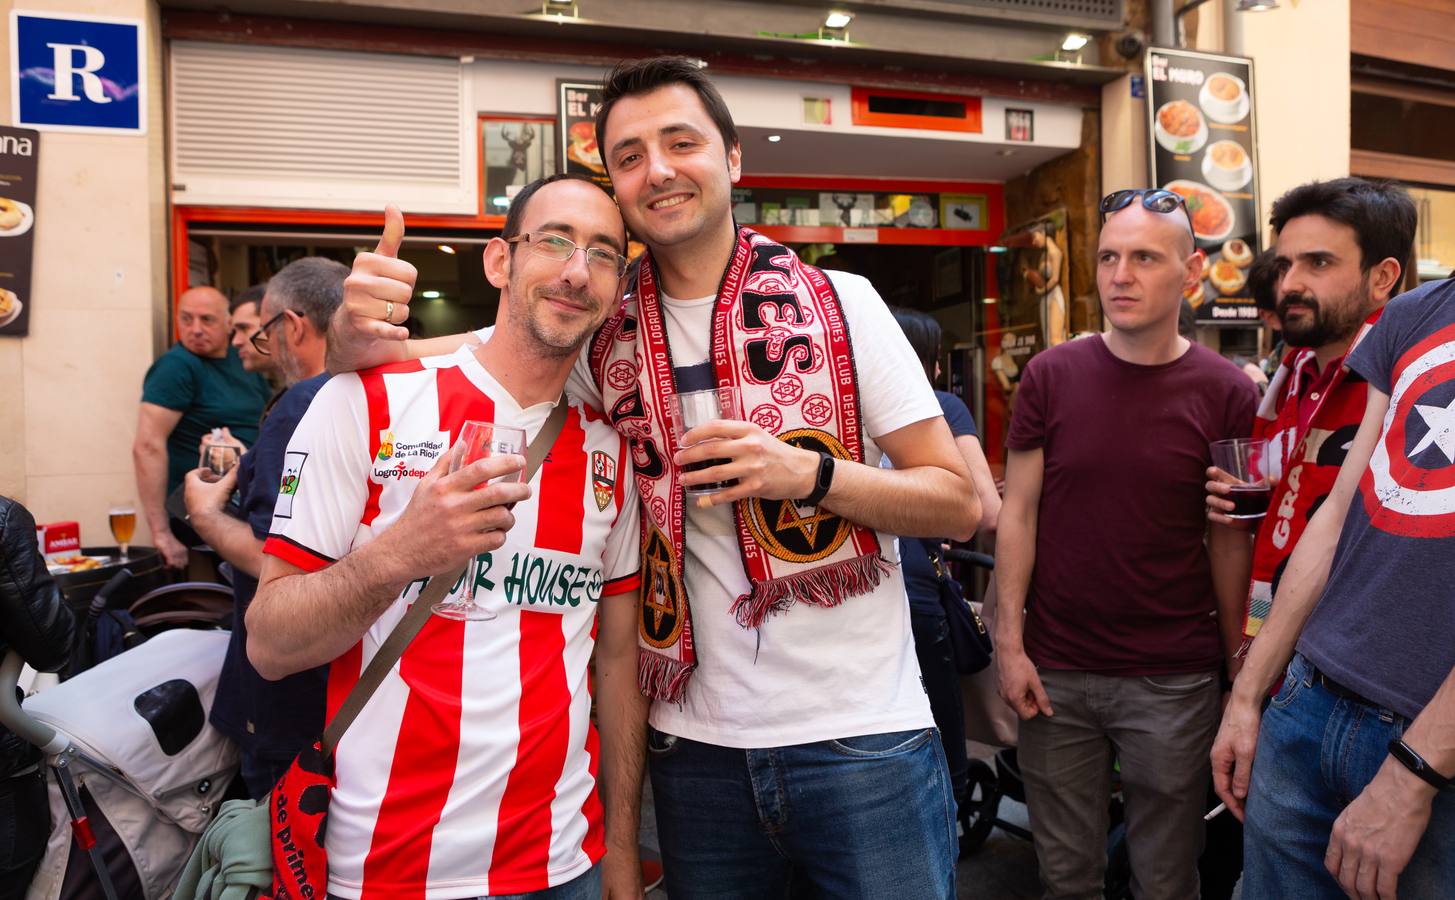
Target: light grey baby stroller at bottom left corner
137, 771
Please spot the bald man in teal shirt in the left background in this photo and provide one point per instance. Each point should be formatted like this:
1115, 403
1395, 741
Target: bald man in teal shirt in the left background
194, 387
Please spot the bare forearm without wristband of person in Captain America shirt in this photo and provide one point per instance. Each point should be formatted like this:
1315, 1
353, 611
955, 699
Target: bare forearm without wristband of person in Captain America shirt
1299, 594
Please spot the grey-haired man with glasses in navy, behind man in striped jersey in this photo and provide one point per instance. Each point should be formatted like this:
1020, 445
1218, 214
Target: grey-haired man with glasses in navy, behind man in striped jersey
271, 722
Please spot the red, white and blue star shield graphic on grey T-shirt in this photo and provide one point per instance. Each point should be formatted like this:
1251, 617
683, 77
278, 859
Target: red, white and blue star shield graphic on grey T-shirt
1409, 488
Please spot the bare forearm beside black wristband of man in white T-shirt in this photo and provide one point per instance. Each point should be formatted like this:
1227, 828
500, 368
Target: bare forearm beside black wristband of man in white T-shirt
920, 502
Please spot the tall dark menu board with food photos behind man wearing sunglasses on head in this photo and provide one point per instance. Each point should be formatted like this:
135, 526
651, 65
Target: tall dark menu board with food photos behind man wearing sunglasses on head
1204, 140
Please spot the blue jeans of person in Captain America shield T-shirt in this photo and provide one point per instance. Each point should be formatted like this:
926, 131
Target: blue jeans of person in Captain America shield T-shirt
1318, 752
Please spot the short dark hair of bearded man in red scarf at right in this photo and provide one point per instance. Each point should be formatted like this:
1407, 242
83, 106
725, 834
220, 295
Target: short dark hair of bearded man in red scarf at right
1380, 212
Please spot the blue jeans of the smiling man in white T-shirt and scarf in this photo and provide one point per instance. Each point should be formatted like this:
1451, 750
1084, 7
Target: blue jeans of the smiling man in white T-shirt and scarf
868, 816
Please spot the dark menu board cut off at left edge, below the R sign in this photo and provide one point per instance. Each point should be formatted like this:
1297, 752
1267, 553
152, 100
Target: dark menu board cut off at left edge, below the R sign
20, 155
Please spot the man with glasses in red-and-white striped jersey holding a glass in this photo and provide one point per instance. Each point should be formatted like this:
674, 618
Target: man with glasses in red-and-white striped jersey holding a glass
474, 768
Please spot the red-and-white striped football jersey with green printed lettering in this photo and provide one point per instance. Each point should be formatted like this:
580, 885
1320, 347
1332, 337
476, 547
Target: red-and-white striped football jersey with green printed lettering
474, 768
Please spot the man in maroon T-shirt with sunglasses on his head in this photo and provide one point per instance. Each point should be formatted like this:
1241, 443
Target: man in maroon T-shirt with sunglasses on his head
1118, 604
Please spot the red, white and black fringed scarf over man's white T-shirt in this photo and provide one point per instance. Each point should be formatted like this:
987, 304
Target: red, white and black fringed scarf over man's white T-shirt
781, 338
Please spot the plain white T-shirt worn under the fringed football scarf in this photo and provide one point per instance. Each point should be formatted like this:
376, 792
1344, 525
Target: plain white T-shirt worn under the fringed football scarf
810, 674
